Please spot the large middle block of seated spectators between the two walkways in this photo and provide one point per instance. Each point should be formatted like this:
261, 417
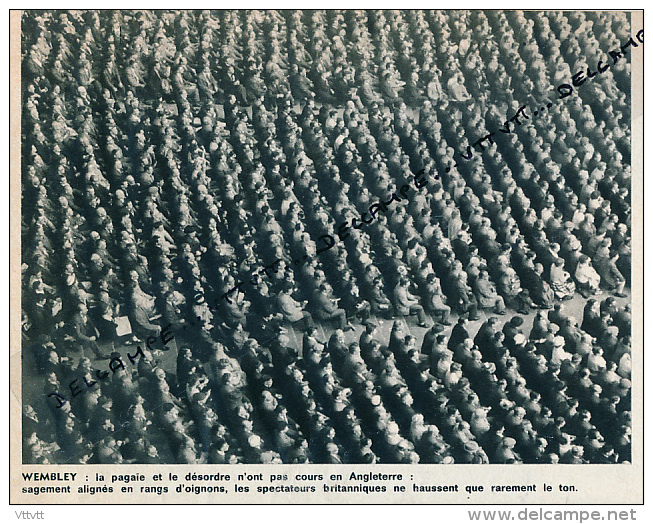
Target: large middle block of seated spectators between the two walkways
96, 156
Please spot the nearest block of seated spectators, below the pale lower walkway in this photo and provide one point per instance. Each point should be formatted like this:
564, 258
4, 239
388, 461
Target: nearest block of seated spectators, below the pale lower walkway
498, 396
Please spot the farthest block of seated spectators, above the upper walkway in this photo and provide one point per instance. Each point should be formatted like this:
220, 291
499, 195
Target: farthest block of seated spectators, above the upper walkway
388, 55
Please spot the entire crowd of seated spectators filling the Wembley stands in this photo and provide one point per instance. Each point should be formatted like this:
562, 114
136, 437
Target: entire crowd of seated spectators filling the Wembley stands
168, 158
